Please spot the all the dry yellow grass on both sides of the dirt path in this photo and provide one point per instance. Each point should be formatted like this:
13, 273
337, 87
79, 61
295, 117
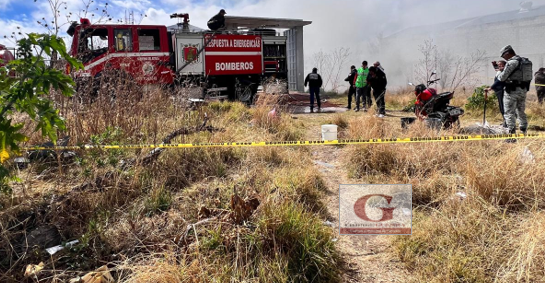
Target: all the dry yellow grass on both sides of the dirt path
137, 220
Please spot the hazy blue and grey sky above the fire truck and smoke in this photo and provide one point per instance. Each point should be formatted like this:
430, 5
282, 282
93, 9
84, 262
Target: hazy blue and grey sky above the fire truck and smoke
343, 23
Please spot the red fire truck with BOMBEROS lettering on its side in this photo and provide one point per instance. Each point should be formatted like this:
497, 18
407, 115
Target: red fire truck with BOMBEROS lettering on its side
240, 57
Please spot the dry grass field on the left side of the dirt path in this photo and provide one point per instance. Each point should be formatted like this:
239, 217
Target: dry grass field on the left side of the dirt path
136, 220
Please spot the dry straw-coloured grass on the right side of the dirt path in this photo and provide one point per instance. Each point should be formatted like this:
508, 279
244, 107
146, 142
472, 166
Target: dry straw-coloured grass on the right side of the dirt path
486, 236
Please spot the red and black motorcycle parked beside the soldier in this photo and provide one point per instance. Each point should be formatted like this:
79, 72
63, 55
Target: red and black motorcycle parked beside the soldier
434, 108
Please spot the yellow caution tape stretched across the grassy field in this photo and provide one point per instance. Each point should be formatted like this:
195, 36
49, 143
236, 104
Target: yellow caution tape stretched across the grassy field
301, 143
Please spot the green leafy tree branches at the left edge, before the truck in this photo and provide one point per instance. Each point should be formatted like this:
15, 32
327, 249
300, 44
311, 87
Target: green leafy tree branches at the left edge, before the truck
25, 93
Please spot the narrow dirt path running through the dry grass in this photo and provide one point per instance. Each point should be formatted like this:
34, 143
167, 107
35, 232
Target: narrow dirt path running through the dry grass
367, 257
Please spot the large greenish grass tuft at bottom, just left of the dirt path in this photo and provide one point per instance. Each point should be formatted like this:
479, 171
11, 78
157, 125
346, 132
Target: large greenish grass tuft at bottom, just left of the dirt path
297, 241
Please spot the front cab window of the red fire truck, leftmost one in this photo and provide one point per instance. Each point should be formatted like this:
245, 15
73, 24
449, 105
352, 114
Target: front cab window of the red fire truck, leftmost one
93, 43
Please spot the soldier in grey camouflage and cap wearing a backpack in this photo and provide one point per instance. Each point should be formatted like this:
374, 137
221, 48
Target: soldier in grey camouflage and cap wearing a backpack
514, 100
